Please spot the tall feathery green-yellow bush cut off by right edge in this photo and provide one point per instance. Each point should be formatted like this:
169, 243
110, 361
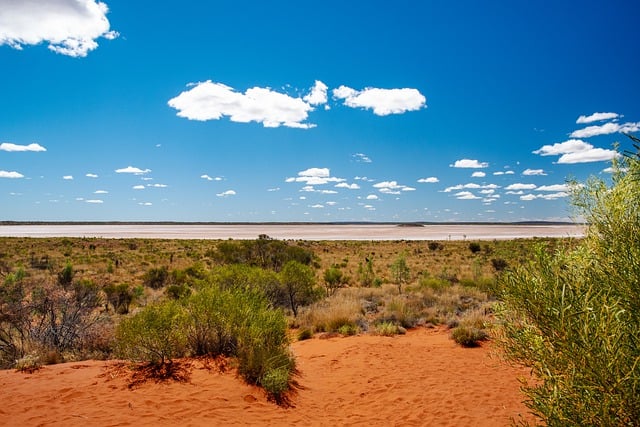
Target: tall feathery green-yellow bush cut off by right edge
574, 317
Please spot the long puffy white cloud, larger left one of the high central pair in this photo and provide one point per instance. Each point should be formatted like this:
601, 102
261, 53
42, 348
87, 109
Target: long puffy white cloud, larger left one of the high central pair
212, 101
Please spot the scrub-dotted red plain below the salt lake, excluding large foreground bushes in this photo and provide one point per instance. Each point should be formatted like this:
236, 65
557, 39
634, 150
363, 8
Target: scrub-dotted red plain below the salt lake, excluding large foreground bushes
371, 337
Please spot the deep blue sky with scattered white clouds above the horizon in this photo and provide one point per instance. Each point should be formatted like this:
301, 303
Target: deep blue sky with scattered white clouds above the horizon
310, 111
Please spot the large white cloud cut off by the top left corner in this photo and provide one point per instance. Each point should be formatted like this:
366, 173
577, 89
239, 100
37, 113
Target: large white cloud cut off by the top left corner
71, 27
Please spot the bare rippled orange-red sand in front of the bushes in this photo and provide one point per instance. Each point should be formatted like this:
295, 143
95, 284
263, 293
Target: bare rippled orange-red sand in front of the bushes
420, 379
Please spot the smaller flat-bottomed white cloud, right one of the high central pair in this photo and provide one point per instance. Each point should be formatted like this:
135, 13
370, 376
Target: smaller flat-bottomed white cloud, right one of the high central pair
382, 101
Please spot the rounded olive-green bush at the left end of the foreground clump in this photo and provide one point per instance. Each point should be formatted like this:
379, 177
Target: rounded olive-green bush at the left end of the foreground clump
154, 335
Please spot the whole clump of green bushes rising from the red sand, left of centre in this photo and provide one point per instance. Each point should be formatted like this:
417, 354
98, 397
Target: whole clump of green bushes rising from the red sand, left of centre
230, 322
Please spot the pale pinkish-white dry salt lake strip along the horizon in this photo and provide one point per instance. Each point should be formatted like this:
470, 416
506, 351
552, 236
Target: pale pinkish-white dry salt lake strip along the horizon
297, 231
